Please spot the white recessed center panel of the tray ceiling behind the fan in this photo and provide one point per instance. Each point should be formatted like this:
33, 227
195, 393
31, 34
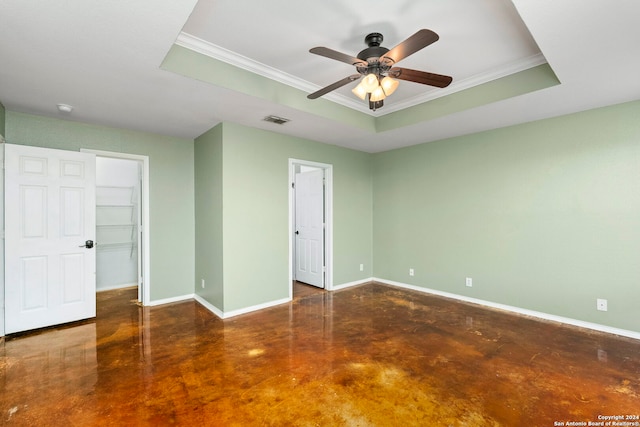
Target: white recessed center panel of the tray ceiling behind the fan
480, 40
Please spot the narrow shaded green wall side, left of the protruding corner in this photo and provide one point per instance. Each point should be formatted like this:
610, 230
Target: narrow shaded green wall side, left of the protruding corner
208, 210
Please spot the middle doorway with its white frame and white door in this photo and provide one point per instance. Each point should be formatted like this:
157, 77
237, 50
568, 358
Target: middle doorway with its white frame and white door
310, 223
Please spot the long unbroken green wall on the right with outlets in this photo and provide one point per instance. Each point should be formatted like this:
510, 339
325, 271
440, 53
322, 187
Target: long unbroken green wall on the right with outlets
543, 216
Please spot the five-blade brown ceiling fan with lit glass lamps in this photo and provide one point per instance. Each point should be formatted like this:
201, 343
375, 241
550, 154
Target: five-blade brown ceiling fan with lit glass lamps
376, 65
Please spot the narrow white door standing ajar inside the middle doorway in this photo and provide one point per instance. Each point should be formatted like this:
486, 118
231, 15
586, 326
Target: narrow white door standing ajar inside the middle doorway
309, 199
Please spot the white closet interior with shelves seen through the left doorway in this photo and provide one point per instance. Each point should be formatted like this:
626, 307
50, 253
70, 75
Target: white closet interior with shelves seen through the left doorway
117, 208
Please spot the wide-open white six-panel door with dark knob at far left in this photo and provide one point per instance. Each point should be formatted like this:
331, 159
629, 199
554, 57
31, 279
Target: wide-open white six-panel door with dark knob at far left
49, 219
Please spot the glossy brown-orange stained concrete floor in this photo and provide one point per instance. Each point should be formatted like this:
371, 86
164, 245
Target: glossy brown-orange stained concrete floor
372, 355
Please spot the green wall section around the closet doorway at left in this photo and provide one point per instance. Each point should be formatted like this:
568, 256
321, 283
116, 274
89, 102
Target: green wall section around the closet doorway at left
171, 187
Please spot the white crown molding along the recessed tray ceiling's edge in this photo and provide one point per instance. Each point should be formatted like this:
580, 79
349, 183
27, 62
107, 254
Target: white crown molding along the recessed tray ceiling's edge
203, 47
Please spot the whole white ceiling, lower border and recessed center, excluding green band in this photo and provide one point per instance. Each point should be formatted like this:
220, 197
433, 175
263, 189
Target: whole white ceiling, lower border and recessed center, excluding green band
104, 59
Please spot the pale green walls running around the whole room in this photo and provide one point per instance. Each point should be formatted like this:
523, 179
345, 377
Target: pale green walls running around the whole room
544, 216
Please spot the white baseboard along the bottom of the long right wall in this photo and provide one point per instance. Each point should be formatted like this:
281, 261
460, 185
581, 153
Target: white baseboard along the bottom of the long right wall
517, 310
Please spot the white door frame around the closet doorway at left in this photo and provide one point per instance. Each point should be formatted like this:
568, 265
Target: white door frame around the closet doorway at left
144, 201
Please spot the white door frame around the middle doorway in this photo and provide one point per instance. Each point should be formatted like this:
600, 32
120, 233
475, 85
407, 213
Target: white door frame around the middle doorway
328, 214
